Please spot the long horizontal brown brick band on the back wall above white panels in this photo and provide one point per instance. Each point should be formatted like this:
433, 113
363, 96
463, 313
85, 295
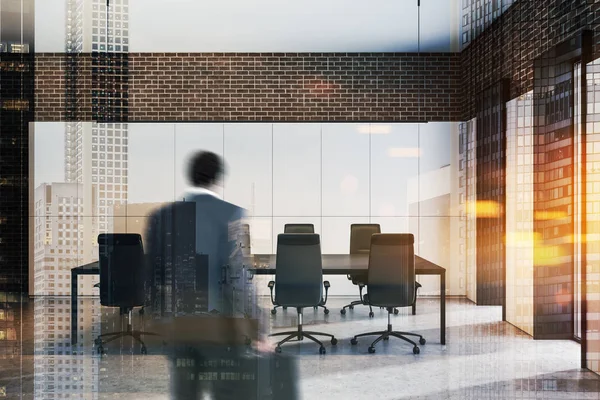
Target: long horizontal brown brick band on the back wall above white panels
272, 87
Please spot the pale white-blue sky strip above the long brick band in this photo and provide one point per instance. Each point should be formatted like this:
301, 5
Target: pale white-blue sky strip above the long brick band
272, 25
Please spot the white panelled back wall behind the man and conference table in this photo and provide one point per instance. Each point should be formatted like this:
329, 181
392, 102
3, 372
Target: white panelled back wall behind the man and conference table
109, 177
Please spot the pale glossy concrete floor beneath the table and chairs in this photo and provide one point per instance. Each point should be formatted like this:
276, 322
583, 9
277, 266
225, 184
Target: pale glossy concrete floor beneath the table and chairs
484, 359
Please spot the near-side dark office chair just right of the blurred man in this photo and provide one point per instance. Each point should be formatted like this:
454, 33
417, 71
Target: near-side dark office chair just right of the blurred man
298, 281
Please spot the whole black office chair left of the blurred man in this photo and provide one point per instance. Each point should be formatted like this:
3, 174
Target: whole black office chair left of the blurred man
122, 281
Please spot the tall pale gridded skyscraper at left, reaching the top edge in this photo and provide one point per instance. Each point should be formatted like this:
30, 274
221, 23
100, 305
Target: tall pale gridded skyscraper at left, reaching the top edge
96, 154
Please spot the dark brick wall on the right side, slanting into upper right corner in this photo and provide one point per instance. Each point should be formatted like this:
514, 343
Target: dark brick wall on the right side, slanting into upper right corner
508, 48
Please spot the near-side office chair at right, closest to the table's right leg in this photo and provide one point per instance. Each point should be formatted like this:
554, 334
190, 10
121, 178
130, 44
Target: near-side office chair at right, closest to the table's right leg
391, 282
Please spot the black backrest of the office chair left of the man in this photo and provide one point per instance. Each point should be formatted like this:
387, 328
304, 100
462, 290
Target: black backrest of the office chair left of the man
122, 269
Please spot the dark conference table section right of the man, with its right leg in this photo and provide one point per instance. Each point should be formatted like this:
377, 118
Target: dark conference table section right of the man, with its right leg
347, 264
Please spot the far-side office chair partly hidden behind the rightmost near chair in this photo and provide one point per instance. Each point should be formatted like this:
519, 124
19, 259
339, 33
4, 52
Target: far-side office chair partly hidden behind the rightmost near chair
360, 243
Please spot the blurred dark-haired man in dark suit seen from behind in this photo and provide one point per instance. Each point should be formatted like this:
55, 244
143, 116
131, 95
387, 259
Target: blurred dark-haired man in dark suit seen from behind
209, 356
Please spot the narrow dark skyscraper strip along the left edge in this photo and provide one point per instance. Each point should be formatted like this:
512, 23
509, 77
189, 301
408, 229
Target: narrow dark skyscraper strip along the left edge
17, 83
